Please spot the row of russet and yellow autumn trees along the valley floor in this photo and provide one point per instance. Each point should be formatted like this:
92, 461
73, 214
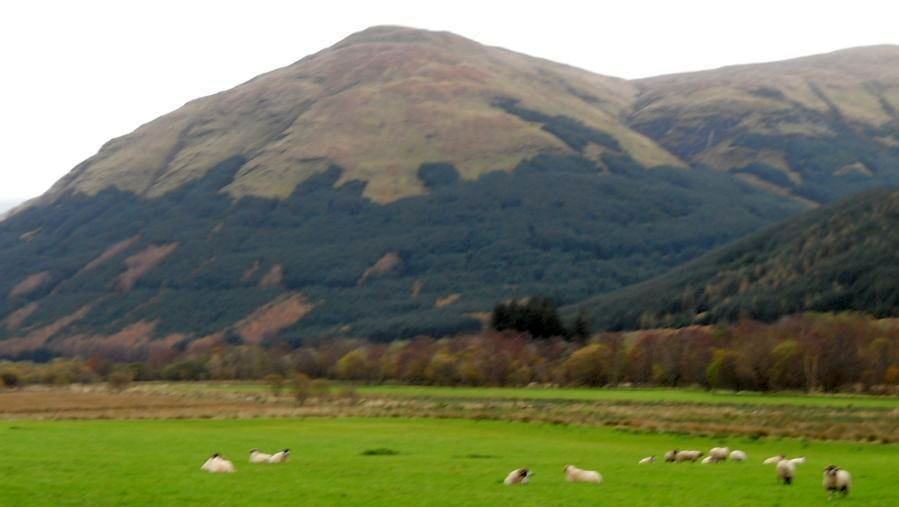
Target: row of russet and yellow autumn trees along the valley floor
809, 352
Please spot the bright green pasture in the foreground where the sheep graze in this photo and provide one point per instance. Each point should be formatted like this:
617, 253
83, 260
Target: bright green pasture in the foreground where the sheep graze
439, 462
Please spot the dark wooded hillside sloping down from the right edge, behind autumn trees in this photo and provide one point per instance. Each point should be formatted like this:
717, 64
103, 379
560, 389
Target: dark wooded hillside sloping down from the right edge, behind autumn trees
841, 257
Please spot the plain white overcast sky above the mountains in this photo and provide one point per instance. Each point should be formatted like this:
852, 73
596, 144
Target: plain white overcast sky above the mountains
77, 73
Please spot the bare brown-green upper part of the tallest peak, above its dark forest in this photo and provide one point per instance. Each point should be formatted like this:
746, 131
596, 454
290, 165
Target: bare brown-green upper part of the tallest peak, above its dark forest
379, 103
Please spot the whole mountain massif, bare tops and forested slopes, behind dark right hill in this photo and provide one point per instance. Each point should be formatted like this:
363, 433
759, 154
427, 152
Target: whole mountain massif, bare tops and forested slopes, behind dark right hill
402, 181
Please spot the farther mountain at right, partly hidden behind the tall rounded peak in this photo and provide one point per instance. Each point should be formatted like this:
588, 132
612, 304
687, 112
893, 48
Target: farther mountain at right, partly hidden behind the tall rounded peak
814, 128
